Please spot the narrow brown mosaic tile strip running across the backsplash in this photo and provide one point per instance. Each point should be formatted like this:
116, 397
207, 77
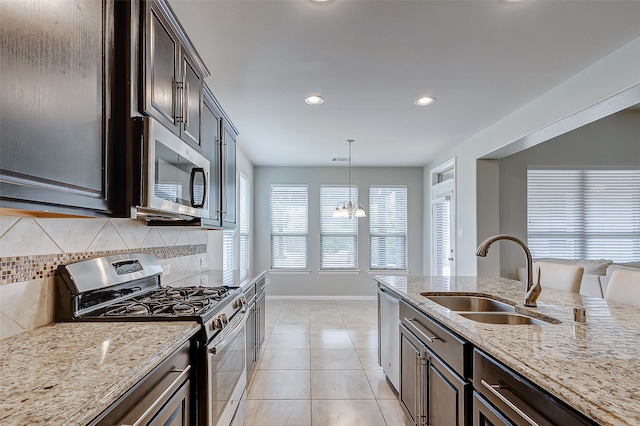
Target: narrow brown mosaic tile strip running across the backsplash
26, 268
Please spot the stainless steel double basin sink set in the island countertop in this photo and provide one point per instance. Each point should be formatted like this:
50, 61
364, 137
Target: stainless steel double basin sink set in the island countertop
483, 309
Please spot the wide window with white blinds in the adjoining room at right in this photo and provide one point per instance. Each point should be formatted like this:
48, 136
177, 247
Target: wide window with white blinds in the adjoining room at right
584, 214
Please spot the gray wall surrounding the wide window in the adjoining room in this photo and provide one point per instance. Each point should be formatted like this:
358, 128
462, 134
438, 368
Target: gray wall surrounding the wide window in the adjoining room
613, 141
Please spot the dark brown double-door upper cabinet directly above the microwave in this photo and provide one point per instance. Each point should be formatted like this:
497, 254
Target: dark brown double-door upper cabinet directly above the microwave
173, 74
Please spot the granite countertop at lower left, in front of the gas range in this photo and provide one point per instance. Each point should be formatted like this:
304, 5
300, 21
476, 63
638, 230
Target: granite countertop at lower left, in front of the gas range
68, 373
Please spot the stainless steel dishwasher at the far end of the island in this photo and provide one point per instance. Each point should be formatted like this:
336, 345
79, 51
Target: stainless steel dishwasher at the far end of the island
389, 335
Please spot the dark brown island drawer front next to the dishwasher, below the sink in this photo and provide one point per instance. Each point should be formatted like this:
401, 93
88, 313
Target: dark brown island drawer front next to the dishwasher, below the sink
444, 343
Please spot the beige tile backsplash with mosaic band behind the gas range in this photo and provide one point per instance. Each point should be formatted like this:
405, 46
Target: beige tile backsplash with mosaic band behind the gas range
32, 248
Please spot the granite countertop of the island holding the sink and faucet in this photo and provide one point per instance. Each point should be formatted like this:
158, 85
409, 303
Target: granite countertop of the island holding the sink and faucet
594, 367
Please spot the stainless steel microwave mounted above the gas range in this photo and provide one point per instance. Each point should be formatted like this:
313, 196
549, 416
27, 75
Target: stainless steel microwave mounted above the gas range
175, 179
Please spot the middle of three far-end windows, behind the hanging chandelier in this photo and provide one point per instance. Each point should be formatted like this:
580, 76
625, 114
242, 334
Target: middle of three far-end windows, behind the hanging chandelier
338, 236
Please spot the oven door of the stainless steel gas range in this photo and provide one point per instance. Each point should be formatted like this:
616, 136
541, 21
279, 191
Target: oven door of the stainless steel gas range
226, 375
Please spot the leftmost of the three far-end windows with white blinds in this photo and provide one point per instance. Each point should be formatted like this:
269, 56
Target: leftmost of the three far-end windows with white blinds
289, 227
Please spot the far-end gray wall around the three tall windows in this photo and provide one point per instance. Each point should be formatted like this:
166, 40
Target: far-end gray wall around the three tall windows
333, 284
